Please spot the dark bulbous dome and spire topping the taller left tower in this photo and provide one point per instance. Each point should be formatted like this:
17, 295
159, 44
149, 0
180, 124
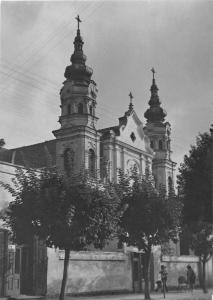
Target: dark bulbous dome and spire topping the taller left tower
78, 71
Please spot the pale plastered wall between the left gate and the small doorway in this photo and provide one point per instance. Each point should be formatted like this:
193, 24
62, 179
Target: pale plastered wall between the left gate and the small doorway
90, 271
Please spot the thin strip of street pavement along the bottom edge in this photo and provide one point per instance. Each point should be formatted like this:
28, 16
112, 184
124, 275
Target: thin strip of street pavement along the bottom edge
182, 295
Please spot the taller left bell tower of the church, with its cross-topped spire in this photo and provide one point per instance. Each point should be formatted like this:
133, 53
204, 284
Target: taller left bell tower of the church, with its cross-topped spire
77, 140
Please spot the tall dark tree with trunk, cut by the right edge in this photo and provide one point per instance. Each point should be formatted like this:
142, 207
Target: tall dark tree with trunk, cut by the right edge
194, 184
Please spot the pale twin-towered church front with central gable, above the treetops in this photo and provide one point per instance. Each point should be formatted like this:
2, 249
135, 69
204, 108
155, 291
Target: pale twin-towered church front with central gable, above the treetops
121, 146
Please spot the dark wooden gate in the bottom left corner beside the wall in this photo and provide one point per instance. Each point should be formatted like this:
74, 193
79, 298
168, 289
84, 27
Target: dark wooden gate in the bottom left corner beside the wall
23, 269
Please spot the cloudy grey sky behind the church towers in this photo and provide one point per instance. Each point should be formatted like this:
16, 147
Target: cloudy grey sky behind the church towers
123, 40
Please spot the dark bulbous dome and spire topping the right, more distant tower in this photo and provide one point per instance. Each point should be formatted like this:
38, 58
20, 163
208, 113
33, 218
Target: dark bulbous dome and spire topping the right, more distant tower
155, 113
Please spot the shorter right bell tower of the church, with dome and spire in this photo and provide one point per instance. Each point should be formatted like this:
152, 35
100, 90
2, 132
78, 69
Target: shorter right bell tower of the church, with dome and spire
159, 133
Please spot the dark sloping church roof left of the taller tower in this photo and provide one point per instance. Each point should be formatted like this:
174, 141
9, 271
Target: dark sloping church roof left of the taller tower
32, 156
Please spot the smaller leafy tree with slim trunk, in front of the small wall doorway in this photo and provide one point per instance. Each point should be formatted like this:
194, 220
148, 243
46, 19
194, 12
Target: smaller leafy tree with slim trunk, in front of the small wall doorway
150, 217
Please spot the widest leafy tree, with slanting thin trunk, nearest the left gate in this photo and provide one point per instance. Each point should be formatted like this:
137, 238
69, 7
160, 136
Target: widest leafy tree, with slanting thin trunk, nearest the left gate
69, 213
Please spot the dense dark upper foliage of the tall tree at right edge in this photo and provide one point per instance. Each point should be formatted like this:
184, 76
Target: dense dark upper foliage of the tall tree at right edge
194, 181
